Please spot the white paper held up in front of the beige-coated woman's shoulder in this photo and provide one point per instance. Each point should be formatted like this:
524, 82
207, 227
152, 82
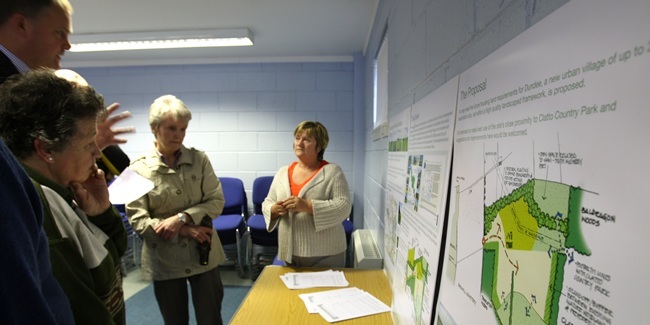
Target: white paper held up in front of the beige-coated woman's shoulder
128, 187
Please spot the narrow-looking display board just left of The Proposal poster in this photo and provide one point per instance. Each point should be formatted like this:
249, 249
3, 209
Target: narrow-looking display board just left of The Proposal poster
419, 158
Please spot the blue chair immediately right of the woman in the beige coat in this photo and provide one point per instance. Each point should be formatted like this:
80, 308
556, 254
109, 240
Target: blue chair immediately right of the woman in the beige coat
231, 224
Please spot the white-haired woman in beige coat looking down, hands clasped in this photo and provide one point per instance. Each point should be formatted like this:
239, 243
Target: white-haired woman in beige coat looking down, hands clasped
169, 219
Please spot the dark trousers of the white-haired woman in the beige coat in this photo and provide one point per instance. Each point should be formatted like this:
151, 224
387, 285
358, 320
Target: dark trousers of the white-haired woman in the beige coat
207, 295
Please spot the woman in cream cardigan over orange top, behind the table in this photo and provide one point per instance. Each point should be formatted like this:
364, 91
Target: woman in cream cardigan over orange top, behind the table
308, 201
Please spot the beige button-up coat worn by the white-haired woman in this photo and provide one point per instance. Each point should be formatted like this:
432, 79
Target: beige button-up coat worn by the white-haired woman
192, 187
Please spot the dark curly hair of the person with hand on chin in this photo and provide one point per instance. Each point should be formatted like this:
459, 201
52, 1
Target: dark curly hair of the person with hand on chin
39, 104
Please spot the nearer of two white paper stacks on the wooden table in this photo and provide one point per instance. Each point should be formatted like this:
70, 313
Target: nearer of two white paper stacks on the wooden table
341, 304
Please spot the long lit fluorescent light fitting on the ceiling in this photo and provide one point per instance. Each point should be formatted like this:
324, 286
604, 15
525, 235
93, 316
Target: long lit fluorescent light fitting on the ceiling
160, 40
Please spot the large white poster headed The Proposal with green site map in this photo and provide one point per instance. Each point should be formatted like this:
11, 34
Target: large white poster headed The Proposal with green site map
548, 218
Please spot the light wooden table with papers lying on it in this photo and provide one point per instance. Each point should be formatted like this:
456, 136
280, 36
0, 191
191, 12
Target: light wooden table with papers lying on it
270, 301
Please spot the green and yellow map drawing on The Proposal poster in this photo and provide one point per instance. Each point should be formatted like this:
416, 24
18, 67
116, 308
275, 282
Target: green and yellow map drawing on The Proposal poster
525, 241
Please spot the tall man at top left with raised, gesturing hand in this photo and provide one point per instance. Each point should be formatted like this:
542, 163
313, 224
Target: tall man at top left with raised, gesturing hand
34, 34
